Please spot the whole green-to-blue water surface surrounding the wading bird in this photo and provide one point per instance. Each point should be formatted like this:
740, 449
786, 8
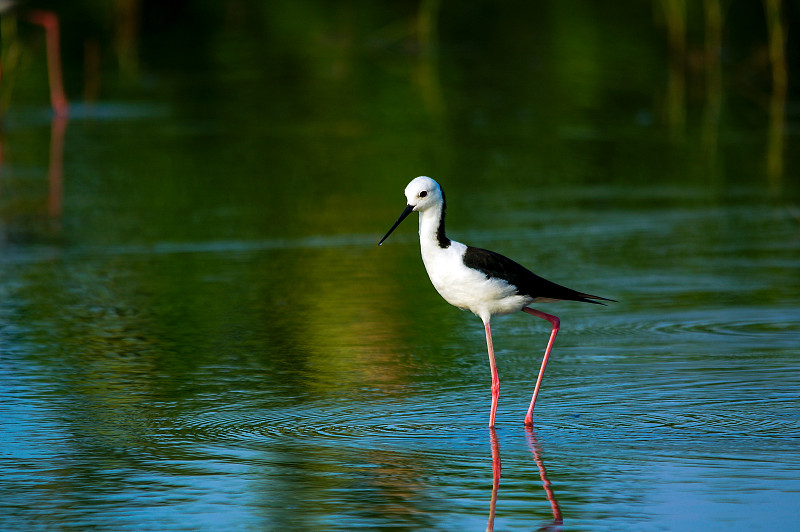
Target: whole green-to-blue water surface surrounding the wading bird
198, 331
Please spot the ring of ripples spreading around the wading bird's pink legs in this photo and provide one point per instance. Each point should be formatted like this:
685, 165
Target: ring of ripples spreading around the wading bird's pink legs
707, 417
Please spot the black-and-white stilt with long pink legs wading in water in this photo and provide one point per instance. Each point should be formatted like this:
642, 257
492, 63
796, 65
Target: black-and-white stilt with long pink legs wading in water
481, 281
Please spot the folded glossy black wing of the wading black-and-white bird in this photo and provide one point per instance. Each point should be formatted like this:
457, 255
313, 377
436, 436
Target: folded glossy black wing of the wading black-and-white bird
528, 283
